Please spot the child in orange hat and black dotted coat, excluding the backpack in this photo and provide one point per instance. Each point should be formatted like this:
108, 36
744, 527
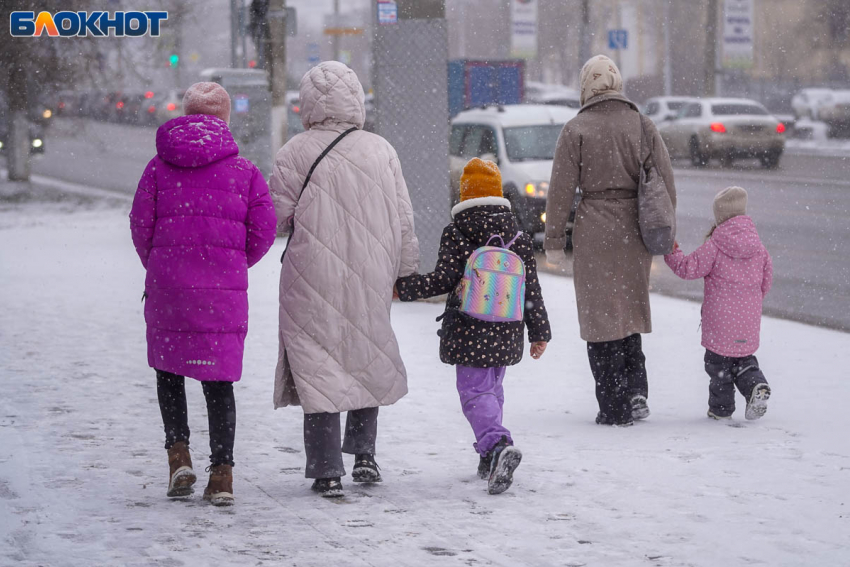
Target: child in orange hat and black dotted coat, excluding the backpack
481, 350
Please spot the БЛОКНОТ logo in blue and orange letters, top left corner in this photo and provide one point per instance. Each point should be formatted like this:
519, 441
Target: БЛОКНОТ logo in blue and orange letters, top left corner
81, 24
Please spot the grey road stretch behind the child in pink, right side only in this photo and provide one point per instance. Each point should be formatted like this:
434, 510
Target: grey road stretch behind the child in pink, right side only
802, 212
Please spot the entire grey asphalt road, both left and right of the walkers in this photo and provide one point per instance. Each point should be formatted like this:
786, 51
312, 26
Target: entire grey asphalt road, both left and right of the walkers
802, 211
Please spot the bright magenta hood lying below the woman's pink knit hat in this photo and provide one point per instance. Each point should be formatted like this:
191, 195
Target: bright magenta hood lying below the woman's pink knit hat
195, 140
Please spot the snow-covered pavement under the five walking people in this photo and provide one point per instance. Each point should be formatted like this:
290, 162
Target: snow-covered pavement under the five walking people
83, 472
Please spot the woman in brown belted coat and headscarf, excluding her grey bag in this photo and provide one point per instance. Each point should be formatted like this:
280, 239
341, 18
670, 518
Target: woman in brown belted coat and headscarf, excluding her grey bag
599, 152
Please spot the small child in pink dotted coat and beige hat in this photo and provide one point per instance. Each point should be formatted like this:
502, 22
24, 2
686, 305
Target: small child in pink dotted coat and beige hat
738, 274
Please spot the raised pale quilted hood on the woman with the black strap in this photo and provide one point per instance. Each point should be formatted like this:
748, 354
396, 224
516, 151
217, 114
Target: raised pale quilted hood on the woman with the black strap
331, 95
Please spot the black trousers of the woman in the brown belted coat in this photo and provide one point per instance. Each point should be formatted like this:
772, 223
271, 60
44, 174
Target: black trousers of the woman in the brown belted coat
619, 368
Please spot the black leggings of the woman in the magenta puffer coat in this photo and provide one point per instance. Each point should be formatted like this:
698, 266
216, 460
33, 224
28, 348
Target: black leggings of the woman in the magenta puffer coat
221, 407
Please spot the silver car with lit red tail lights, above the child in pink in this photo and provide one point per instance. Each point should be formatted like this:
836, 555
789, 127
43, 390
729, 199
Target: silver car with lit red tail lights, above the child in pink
726, 129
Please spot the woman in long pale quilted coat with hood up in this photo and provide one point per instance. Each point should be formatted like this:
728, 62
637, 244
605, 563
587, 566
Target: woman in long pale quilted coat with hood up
353, 238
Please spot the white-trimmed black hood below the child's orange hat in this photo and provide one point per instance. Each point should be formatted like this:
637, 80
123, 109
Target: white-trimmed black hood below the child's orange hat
479, 219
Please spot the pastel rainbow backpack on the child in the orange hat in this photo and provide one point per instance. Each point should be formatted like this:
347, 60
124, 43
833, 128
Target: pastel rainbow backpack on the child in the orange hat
493, 284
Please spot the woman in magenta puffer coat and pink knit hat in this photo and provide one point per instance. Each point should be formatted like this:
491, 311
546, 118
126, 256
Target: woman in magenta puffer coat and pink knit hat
201, 217
